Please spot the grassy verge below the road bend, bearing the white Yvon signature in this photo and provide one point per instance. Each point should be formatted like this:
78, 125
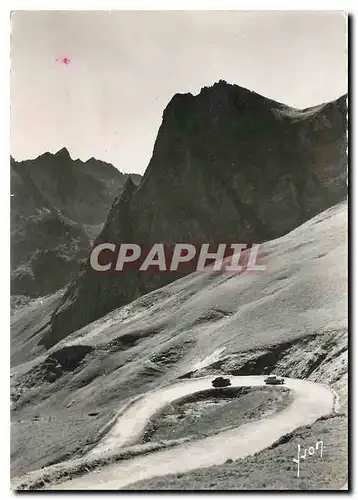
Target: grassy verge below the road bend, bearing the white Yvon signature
273, 469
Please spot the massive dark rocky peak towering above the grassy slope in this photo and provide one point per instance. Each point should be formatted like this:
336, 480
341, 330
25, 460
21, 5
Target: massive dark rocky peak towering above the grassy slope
228, 165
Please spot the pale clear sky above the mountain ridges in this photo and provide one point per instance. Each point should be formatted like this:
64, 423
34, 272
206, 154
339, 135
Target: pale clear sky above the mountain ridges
125, 66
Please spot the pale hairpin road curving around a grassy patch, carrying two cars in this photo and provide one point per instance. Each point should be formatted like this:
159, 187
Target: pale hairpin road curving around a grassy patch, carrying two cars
310, 401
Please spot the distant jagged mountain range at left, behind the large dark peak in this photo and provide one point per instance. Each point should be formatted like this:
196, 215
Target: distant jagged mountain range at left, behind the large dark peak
55, 203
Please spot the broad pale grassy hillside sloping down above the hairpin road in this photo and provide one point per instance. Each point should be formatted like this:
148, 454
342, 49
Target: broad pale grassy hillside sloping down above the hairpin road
165, 334
